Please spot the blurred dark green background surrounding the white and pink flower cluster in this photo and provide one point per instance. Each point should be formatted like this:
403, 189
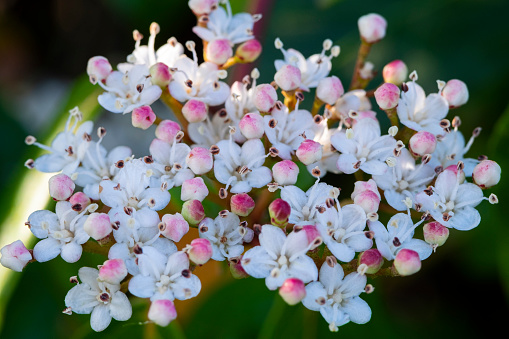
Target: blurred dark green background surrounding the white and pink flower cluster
462, 290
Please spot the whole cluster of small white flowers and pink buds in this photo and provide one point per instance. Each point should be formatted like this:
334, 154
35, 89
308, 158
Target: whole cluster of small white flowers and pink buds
248, 148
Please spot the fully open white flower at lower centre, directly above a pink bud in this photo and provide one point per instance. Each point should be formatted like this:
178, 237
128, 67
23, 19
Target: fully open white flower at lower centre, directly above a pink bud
280, 257
